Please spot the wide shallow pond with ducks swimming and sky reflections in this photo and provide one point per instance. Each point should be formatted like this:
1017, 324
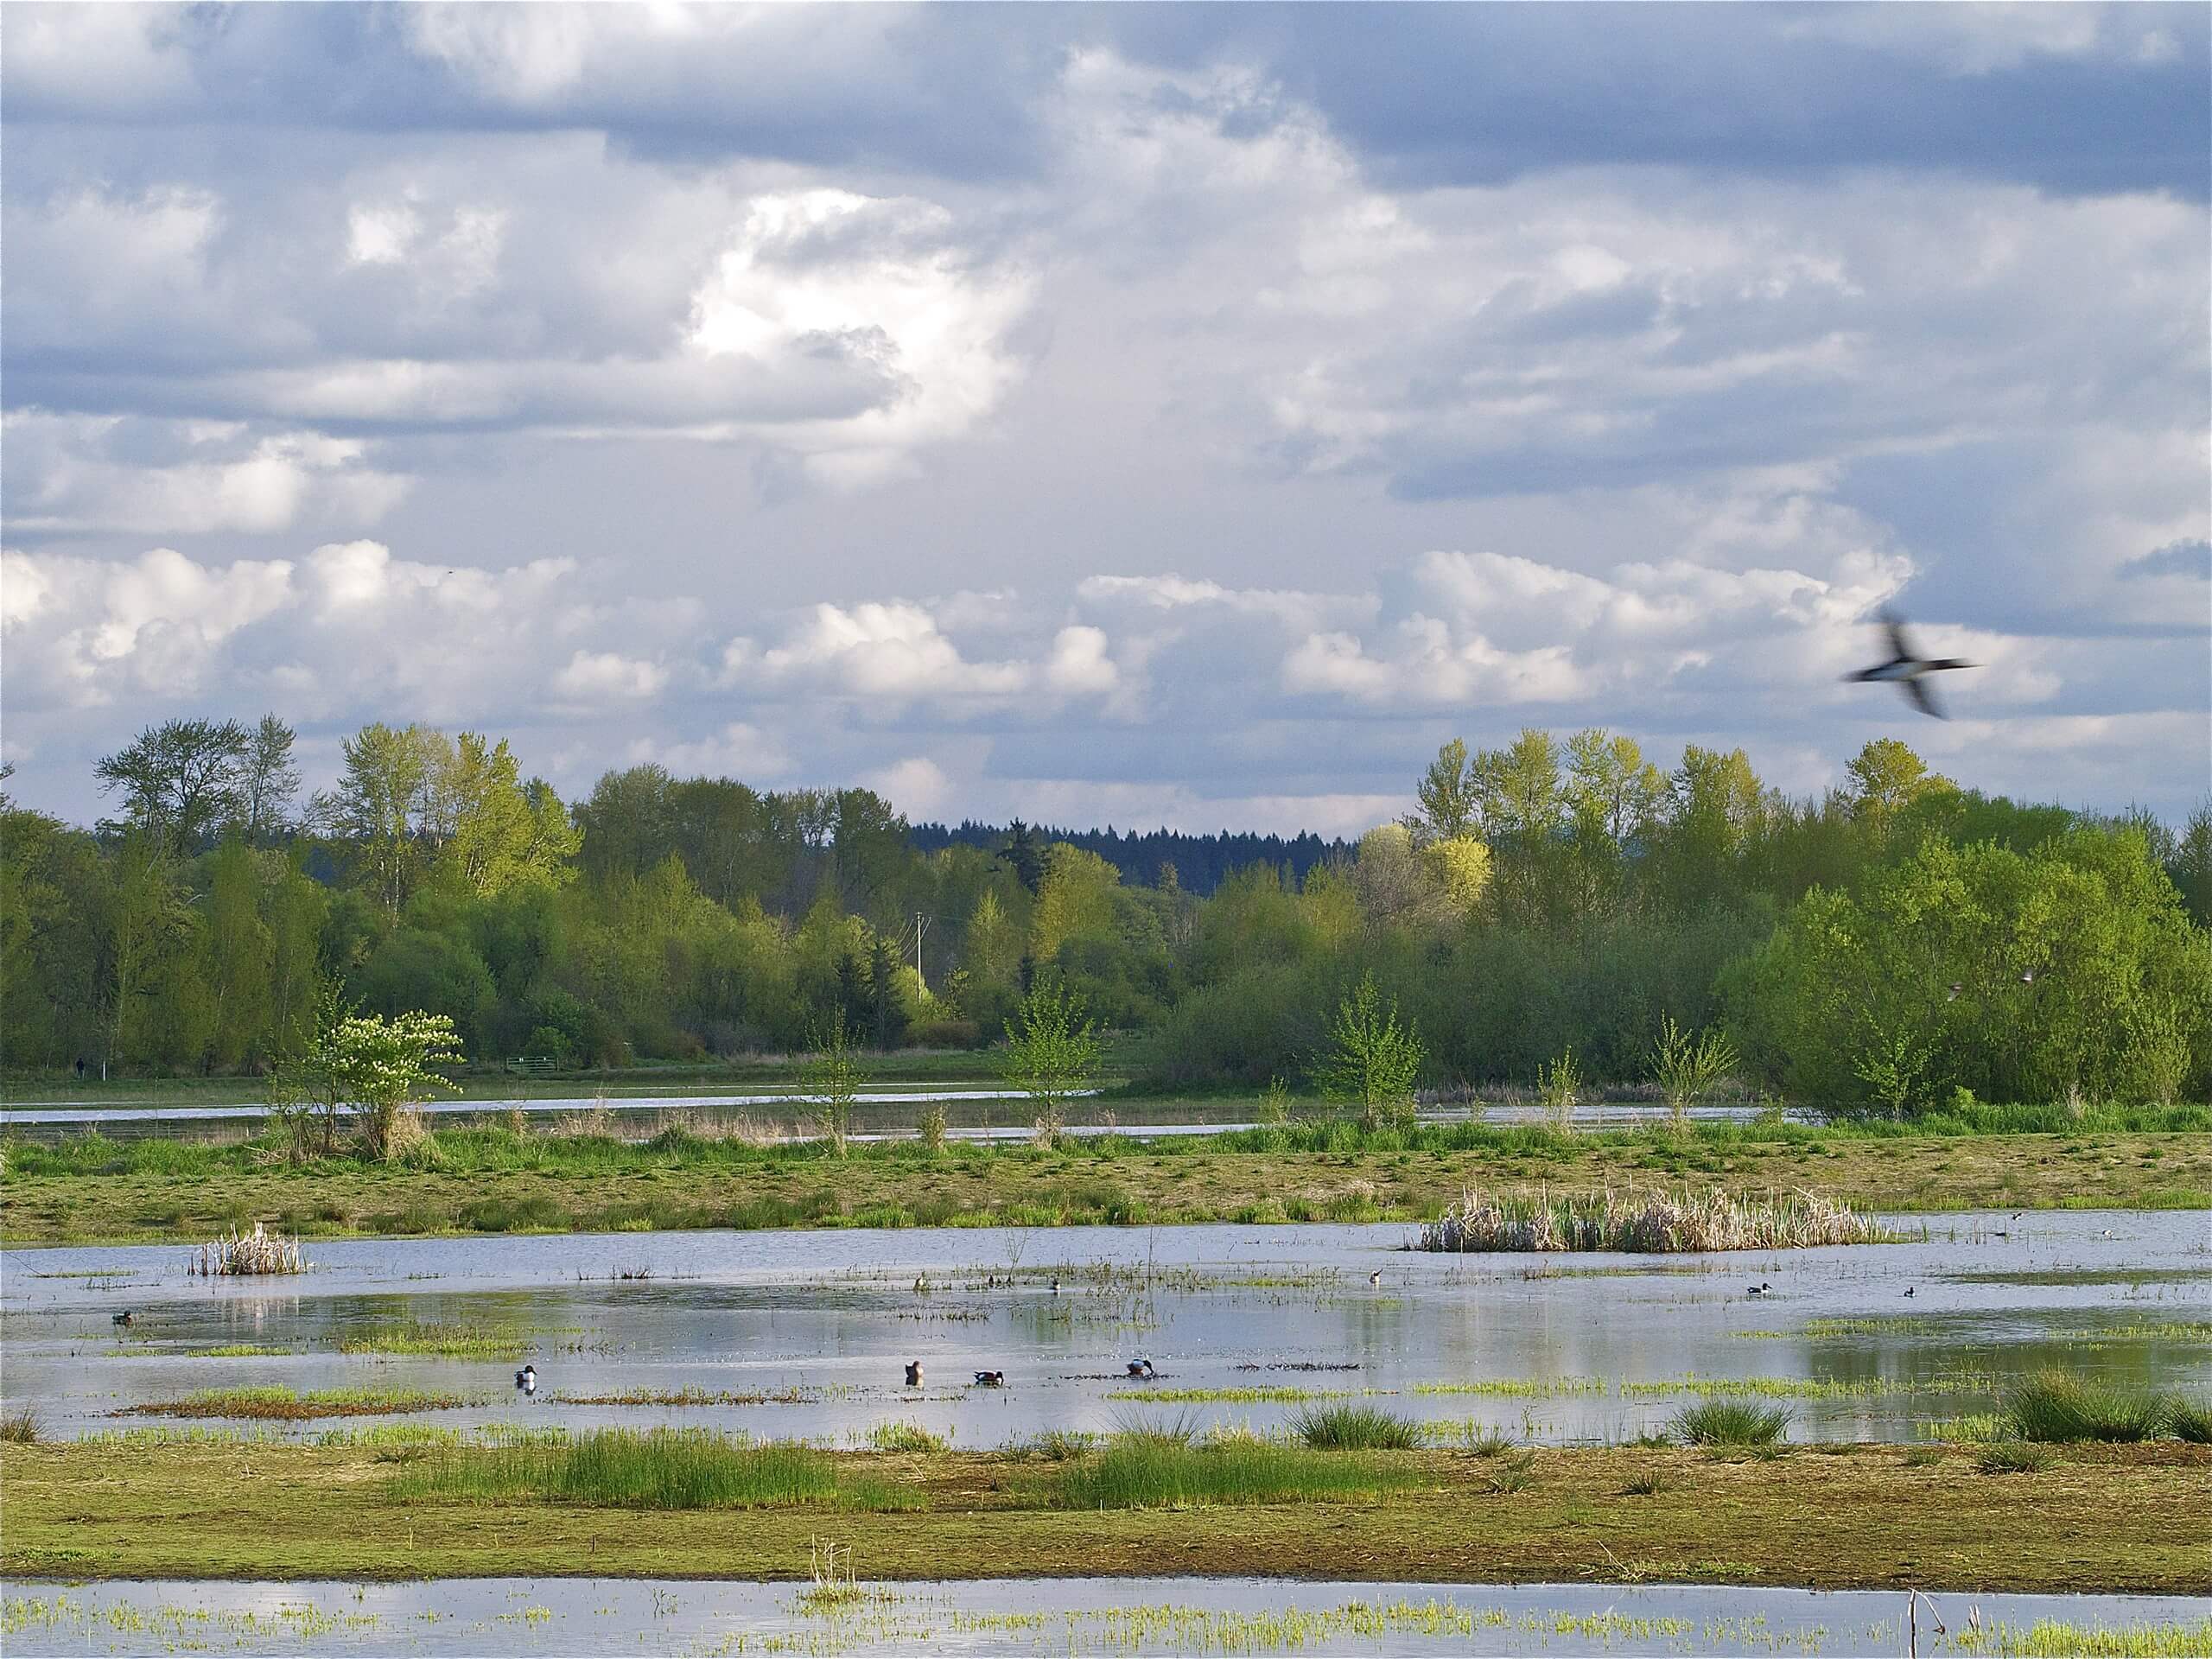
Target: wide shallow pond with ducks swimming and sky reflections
804, 1335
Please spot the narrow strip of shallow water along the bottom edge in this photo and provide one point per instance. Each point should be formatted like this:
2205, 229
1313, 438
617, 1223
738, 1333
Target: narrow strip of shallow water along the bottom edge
1041, 1616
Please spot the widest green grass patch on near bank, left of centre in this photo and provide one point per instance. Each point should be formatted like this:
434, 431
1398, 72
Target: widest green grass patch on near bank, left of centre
651, 1470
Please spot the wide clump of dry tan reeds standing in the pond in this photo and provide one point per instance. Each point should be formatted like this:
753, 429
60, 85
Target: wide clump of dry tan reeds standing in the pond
1645, 1222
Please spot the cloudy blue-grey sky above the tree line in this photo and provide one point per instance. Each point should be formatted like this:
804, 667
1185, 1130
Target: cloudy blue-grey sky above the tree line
1131, 415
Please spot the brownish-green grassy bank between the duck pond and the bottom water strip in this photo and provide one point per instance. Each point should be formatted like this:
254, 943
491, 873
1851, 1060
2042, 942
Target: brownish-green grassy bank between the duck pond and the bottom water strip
2096, 1521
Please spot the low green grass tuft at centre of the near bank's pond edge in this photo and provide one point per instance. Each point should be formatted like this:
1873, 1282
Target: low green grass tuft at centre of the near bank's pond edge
1154, 1474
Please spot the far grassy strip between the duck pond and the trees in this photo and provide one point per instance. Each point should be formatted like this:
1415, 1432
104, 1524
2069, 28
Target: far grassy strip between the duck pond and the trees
492, 1182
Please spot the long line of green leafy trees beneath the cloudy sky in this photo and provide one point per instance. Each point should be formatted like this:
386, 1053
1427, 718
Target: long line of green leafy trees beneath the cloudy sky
1881, 946
